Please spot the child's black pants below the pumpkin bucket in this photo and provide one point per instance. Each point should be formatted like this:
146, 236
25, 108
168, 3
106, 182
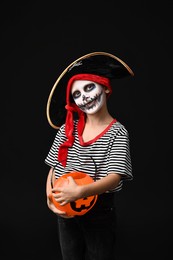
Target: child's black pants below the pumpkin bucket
91, 236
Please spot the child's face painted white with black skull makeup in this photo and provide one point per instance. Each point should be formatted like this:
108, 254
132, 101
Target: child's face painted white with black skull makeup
88, 95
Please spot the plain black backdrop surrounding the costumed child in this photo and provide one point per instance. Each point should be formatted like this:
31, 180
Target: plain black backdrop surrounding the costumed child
38, 41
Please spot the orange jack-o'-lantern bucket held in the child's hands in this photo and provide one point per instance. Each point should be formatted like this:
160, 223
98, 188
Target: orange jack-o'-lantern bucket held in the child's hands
80, 206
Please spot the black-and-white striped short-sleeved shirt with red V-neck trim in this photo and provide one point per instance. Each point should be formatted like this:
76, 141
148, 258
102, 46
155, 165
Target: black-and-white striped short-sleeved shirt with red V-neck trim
107, 153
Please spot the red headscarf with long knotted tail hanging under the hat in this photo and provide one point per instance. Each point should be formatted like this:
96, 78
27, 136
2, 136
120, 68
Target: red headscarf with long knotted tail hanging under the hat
63, 149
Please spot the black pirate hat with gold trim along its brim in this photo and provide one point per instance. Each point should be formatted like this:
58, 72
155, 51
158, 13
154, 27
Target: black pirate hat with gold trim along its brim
96, 63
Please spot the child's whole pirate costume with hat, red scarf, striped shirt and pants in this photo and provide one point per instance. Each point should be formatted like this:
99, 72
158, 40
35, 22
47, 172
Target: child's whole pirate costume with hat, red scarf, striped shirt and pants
94, 233
